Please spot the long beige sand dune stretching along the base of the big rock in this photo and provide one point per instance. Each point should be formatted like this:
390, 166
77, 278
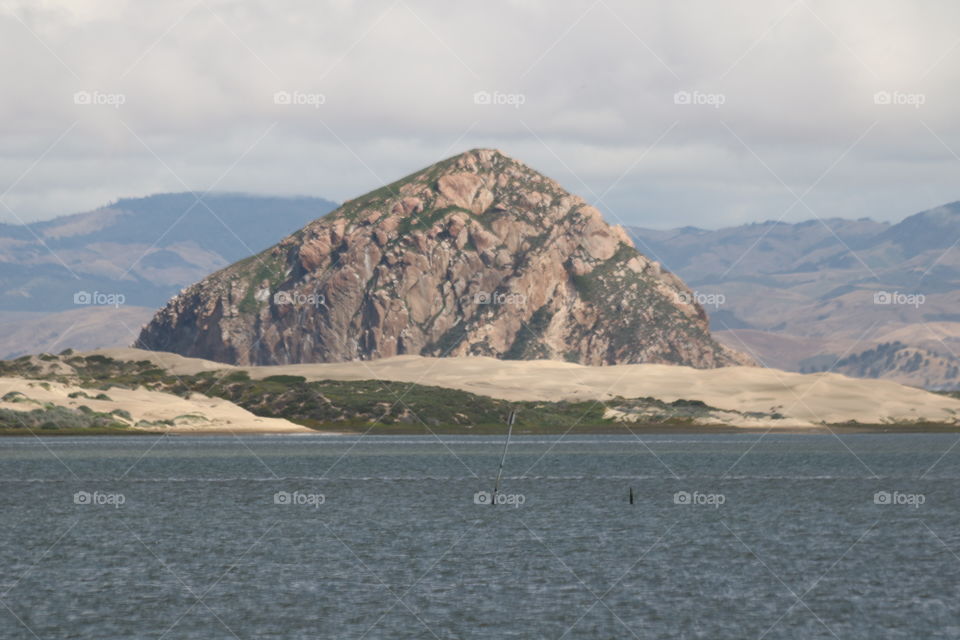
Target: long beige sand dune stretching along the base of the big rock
804, 400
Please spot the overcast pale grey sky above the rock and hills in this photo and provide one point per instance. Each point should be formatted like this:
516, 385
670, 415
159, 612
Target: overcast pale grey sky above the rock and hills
111, 98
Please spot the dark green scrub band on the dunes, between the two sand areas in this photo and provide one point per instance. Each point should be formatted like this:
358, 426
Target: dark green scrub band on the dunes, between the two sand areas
357, 405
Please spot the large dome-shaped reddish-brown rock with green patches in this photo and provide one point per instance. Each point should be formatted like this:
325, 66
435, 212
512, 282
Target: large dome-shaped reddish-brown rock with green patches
475, 255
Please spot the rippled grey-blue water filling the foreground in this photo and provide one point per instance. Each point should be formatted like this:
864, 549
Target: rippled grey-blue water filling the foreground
335, 537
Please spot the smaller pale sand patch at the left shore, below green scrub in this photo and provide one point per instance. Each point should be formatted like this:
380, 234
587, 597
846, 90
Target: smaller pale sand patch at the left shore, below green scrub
198, 414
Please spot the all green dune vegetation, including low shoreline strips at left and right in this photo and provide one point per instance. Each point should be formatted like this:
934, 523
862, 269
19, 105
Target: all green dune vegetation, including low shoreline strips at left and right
374, 406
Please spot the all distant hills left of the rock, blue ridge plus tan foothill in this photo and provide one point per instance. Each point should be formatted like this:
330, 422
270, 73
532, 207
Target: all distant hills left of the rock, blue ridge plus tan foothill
92, 279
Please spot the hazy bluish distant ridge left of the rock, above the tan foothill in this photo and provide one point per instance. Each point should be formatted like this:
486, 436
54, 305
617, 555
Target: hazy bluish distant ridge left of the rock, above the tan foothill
145, 249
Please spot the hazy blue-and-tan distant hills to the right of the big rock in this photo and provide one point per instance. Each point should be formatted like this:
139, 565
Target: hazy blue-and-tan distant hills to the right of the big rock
827, 294
